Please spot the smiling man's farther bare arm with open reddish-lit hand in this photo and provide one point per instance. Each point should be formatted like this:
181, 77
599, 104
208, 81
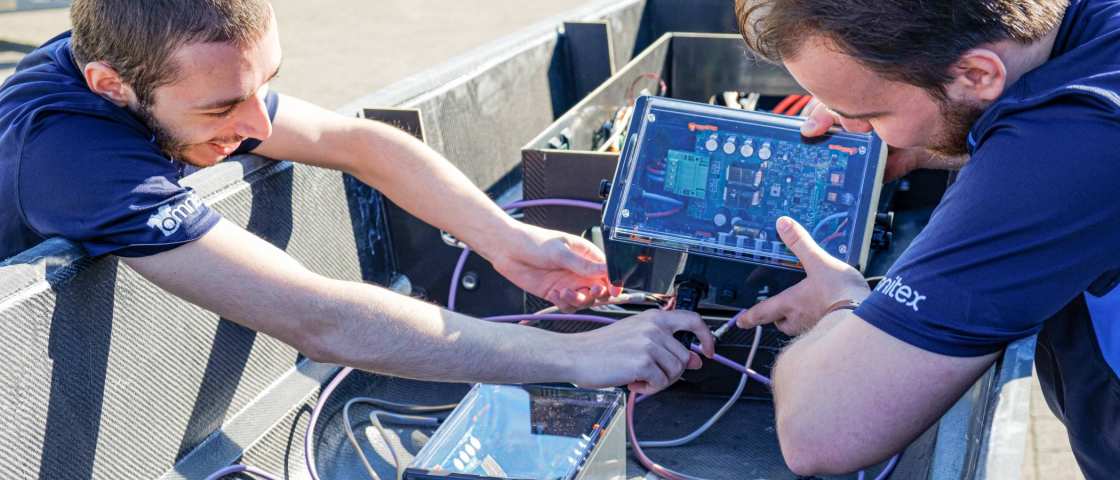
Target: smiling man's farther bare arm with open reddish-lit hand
561, 268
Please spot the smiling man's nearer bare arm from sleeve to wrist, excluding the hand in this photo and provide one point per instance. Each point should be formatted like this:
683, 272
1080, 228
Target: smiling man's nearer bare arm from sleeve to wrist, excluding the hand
251, 283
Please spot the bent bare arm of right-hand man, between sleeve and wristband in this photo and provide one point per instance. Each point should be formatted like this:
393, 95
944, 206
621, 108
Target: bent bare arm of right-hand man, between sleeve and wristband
850, 396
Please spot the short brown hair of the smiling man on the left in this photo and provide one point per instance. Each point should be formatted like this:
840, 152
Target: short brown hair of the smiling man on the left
138, 39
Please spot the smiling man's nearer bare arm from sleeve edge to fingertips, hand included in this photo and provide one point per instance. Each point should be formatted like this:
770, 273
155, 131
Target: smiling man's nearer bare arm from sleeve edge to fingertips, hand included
249, 281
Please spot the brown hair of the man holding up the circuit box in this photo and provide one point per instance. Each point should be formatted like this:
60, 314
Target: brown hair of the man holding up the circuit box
913, 42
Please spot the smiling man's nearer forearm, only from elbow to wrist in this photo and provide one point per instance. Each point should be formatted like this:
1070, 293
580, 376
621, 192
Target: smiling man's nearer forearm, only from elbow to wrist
375, 330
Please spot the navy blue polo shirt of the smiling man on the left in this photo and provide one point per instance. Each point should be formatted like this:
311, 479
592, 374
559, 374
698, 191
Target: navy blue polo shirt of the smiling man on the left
76, 166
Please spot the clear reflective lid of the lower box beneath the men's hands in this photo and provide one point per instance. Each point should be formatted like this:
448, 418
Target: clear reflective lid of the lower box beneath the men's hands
520, 432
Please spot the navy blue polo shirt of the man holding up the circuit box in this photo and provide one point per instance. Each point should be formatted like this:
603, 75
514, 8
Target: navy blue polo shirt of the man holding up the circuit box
1031, 228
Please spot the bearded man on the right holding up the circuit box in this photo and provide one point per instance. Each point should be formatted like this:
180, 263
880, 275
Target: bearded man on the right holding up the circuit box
1024, 99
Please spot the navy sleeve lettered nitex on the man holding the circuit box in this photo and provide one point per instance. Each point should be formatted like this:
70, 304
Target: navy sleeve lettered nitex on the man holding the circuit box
1032, 221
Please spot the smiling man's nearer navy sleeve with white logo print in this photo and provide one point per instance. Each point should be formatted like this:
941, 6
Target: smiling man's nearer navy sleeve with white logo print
102, 185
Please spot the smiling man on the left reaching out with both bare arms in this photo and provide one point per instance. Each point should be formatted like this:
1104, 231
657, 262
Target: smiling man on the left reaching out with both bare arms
98, 126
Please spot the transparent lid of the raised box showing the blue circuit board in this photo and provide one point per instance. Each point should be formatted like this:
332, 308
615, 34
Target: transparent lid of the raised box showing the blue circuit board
713, 181
